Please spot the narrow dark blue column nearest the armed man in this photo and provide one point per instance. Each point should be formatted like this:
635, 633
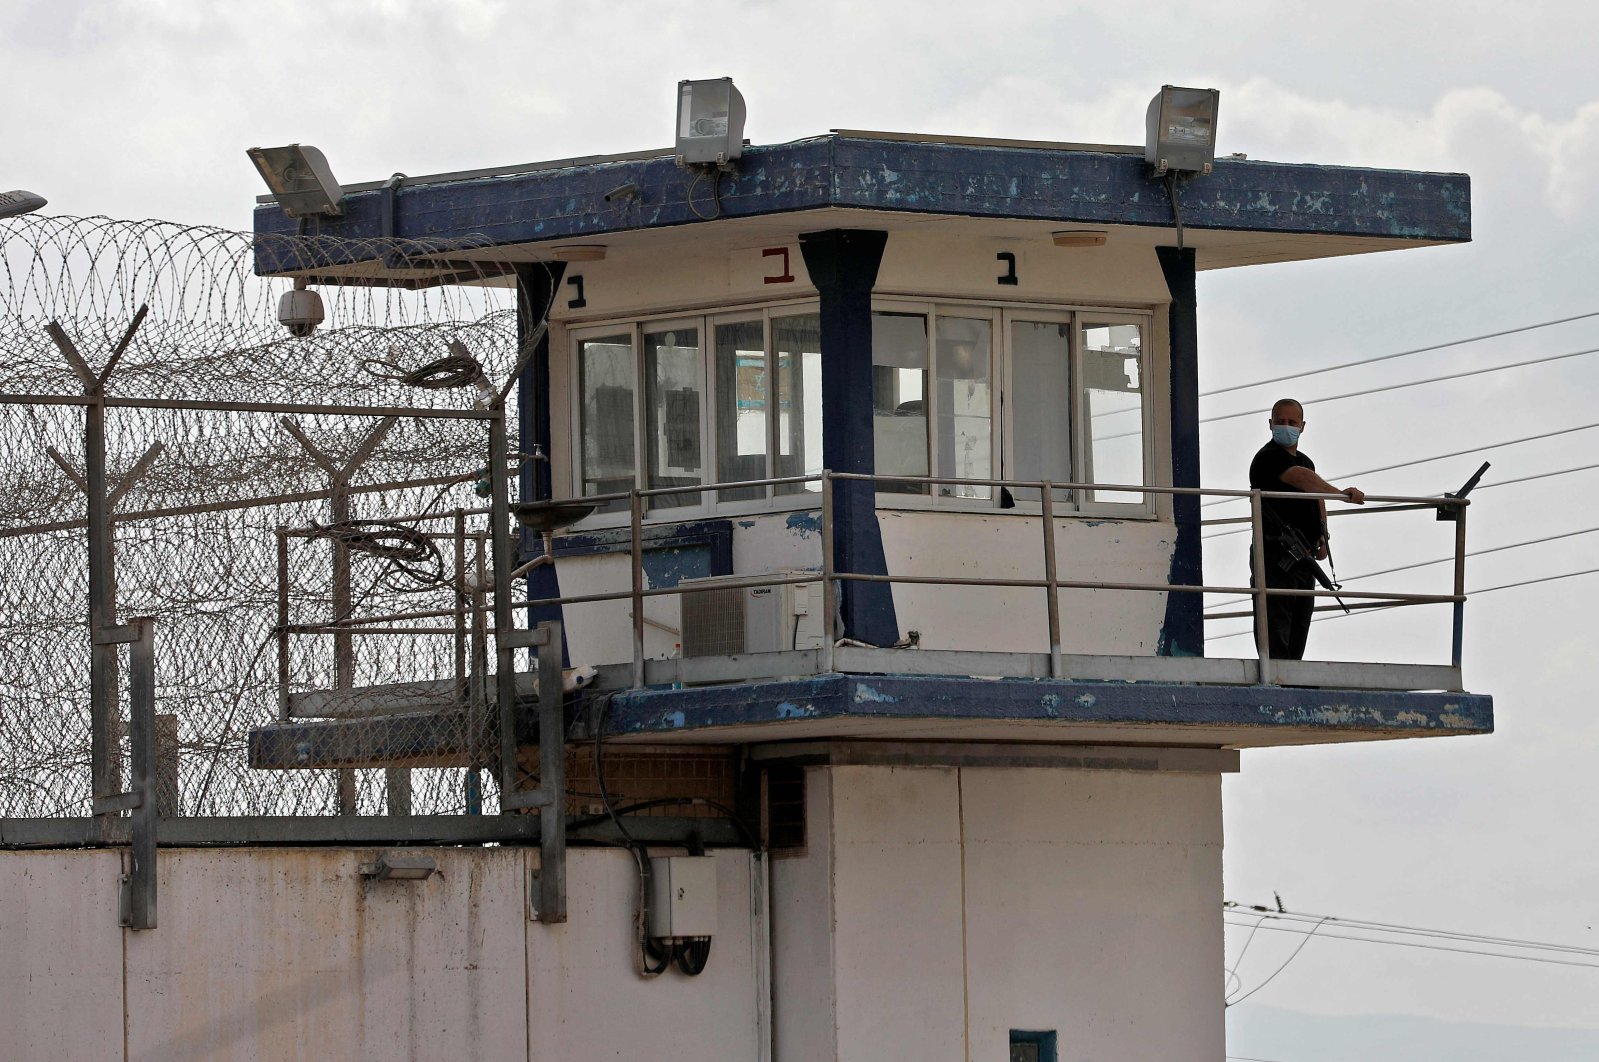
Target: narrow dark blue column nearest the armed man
1182, 634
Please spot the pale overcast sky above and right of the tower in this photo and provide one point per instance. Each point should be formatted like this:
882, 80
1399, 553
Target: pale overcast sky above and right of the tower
145, 110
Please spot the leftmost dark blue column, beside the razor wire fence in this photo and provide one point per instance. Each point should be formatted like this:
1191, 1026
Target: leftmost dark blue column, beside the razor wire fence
536, 289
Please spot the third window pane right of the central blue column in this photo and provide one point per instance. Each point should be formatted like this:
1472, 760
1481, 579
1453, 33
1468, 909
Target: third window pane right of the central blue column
1040, 404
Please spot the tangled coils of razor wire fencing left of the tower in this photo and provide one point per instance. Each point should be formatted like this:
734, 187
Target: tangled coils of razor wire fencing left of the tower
197, 529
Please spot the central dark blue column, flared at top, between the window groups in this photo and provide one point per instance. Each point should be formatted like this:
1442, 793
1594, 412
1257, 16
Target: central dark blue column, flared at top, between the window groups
843, 266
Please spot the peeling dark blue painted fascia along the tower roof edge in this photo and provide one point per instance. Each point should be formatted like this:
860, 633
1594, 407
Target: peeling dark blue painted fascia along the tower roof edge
903, 177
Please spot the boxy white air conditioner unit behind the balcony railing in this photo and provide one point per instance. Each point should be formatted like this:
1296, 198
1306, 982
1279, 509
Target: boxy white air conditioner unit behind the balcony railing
728, 621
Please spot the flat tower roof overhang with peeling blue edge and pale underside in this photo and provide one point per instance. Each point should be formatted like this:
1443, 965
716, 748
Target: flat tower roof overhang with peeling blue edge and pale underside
469, 226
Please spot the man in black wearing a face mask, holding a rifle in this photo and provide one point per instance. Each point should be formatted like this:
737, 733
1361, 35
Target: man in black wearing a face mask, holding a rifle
1280, 466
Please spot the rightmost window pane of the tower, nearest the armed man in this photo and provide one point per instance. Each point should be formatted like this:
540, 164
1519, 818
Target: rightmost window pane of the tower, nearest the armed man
1114, 405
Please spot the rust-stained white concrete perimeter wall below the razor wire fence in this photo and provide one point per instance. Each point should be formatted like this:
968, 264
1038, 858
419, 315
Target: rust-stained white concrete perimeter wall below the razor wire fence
289, 954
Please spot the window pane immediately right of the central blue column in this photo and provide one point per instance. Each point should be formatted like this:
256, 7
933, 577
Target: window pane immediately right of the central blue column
899, 397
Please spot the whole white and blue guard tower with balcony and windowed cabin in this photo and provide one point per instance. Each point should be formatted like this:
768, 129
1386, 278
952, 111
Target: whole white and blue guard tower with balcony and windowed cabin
864, 474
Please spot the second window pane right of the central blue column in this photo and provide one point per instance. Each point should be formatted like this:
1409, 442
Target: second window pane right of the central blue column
965, 404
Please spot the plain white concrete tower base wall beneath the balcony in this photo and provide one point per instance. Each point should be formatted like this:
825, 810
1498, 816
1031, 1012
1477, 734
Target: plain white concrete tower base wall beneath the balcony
968, 903
